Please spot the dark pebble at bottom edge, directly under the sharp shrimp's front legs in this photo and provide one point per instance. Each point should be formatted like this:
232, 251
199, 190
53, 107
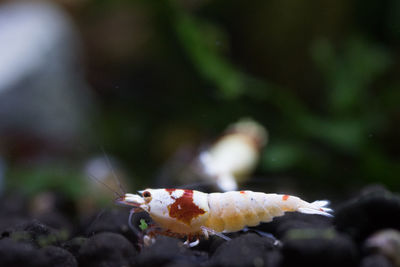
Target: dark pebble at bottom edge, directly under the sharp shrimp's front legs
170, 251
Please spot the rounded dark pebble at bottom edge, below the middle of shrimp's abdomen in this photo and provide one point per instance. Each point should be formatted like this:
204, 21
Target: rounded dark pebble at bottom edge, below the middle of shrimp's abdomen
246, 250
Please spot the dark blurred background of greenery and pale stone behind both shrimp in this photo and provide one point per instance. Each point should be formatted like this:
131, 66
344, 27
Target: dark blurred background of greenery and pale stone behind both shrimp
153, 83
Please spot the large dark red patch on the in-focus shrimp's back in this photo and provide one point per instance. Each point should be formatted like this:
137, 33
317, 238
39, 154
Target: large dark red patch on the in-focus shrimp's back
184, 209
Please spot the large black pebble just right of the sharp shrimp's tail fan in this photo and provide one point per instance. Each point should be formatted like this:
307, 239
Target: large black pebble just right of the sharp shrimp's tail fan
372, 210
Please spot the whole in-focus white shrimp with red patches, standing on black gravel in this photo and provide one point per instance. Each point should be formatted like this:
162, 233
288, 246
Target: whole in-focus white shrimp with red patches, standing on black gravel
190, 213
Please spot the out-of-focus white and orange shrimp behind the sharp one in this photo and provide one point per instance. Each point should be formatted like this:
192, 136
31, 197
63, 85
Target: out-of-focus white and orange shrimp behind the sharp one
222, 165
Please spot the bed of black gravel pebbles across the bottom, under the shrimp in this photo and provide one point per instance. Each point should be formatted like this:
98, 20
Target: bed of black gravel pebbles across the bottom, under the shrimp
356, 236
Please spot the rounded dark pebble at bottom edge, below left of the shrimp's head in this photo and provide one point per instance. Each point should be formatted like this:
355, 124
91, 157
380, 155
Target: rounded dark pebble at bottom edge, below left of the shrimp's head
107, 249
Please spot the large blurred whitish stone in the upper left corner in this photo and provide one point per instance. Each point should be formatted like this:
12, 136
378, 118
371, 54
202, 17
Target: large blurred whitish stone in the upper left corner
42, 89
